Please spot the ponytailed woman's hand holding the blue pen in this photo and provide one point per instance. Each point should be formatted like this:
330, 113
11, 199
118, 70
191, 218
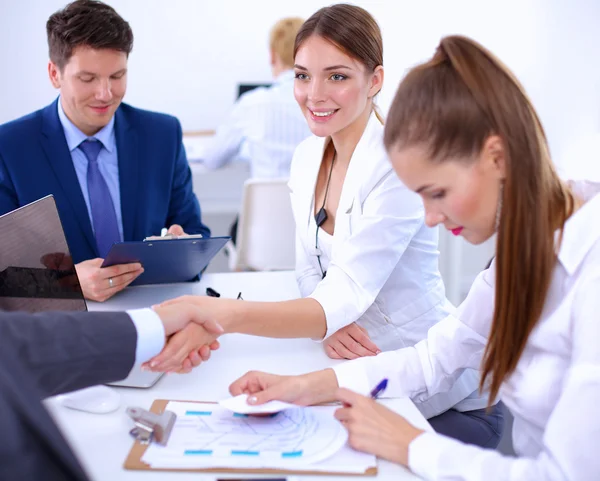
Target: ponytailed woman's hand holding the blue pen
374, 429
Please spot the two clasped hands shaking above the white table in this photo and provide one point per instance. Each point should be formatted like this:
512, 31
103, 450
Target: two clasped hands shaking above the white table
192, 330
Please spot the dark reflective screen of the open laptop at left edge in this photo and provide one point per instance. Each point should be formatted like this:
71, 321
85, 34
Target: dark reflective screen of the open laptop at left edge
36, 269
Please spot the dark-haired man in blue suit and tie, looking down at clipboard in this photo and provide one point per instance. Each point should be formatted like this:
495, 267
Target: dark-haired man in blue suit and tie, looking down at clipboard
117, 172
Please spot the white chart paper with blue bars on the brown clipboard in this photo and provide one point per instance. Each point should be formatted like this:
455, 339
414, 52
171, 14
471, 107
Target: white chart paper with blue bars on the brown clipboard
206, 435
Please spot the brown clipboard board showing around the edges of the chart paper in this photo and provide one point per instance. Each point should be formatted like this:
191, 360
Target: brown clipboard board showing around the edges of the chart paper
134, 458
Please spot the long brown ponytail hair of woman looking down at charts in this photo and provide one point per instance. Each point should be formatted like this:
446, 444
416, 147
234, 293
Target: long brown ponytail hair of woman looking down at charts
451, 105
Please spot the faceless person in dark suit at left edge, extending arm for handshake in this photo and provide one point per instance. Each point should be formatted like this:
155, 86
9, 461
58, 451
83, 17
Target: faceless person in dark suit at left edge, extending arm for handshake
51, 353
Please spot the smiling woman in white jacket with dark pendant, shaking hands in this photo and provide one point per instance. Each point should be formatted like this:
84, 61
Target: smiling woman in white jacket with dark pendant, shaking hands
367, 265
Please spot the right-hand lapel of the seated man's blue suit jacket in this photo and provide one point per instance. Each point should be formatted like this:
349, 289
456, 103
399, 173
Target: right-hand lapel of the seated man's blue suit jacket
129, 169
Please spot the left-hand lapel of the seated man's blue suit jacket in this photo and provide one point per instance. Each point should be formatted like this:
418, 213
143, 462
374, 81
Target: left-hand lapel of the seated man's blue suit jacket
59, 157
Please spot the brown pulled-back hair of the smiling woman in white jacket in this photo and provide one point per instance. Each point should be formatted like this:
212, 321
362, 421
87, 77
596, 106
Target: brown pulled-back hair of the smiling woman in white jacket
351, 29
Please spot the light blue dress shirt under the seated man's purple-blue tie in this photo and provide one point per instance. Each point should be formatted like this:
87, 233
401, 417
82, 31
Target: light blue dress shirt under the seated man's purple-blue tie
108, 161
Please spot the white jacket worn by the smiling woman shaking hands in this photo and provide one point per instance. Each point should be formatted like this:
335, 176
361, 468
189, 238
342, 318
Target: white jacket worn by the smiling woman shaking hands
382, 261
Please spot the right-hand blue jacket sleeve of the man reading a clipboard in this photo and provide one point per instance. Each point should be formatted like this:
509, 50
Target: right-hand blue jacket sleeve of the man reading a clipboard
184, 208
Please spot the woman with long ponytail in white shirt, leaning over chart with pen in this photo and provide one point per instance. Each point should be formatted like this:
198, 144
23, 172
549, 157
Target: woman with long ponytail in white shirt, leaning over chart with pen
463, 134
